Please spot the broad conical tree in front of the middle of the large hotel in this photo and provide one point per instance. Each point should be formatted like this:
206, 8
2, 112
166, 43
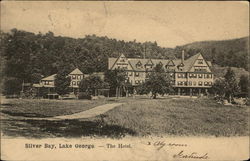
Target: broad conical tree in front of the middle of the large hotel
158, 82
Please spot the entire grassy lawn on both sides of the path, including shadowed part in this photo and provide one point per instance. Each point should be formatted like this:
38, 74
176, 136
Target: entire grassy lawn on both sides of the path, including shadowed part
137, 117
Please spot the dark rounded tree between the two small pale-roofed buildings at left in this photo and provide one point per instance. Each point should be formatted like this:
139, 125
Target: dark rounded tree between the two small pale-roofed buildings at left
62, 82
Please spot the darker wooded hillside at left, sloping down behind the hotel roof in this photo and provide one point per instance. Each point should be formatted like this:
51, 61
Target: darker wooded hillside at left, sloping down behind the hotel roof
28, 56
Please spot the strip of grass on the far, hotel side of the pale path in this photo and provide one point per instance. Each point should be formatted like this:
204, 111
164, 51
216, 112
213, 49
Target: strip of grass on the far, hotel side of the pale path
47, 108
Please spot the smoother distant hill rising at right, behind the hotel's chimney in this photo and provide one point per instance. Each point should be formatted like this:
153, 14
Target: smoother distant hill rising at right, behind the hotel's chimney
233, 53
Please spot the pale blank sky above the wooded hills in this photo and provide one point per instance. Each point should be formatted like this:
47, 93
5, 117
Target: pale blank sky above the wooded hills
168, 23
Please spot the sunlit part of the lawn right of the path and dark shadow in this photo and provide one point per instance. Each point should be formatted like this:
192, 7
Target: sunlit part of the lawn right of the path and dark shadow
189, 117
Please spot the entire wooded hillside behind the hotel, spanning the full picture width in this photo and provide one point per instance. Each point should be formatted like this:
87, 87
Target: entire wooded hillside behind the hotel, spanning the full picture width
28, 57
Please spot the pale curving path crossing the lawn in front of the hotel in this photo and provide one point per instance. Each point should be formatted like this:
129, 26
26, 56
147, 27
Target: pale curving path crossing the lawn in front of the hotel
85, 114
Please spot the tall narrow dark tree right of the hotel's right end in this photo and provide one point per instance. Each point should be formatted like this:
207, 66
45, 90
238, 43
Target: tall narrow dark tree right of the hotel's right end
231, 85
